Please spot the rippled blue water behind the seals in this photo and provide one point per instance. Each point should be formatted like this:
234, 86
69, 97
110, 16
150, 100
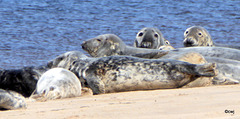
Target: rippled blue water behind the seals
33, 32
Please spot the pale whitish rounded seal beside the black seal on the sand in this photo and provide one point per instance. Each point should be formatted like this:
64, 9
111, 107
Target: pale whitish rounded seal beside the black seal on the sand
57, 83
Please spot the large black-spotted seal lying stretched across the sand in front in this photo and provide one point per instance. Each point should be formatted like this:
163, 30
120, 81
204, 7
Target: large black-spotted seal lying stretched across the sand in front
126, 73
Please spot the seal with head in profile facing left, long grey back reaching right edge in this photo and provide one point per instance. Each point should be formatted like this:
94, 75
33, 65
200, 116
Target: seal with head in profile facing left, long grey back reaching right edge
110, 44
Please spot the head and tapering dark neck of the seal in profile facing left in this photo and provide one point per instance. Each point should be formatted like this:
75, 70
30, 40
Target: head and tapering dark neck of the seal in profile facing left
110, 44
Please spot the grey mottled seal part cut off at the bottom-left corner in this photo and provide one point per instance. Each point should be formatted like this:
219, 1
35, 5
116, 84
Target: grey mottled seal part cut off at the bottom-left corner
10, 100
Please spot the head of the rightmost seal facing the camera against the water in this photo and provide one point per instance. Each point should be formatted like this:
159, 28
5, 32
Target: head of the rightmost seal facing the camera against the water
197, 36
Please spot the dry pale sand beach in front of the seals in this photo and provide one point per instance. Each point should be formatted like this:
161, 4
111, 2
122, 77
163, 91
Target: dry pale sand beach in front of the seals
188, 103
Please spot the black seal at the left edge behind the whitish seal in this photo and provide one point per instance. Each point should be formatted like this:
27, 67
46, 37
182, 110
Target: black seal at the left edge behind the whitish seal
22, 80
